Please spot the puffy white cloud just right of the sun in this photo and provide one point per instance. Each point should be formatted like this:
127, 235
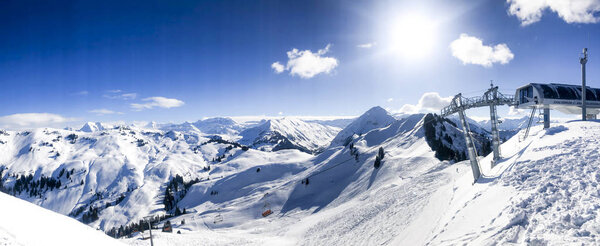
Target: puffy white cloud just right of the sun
470, 50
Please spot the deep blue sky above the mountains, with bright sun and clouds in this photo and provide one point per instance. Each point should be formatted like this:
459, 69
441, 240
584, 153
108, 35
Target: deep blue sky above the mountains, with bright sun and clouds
184, 60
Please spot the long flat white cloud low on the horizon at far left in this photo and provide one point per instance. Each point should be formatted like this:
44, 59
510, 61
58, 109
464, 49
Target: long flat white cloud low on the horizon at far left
33, 120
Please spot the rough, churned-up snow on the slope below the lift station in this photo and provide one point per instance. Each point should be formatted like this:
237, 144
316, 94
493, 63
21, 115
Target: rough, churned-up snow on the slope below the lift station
564, 196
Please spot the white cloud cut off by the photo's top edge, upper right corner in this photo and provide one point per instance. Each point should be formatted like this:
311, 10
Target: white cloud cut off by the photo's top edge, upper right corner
571, 11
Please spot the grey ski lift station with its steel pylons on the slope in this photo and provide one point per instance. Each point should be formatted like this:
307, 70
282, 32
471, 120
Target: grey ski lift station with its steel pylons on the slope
566, 98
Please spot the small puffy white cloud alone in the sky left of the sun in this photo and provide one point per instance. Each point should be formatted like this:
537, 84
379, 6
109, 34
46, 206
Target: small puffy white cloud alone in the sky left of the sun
307, 64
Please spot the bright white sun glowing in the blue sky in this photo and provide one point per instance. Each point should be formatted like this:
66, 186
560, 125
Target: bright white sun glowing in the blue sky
412, 36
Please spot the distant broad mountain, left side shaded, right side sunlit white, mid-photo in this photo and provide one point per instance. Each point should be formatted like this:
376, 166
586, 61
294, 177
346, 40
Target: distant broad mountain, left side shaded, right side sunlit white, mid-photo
288, 133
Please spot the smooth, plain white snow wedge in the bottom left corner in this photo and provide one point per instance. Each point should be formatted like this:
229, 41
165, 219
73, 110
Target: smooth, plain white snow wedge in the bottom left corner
24, 223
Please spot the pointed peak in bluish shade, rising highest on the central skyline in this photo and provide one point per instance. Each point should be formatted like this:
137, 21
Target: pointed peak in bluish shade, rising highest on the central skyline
374, 118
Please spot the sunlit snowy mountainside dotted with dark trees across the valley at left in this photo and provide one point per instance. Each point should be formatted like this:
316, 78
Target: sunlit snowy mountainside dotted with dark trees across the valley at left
105, 163
